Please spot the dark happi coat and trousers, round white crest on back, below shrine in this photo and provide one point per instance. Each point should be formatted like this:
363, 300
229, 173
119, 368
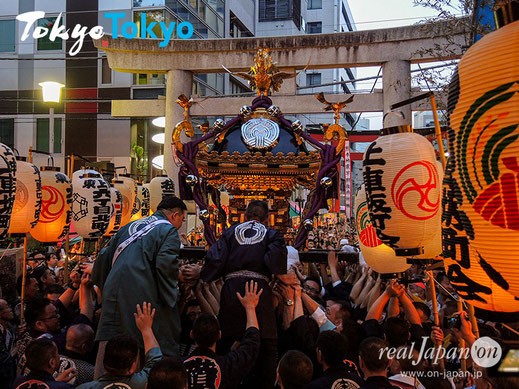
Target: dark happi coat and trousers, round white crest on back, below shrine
249, 246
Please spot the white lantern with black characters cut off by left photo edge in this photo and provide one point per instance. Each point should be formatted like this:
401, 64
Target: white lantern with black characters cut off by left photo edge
7, 188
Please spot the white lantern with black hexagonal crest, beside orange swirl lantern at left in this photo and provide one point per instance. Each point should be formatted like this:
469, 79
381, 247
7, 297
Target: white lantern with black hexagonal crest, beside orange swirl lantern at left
91, 204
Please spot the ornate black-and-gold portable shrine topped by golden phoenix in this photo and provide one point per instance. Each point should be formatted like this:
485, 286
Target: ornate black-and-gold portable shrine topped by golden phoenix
259, 154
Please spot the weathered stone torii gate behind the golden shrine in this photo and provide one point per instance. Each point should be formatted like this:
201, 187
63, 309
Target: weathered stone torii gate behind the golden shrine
394, 49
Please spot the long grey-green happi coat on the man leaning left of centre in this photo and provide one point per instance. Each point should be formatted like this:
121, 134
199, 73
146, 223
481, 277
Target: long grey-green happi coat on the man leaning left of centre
147, 270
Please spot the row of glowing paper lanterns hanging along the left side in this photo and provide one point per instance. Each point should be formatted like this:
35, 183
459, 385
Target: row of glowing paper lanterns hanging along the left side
45, 202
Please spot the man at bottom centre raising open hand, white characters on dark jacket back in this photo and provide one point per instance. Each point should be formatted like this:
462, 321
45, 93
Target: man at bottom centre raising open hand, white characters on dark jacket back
206, 369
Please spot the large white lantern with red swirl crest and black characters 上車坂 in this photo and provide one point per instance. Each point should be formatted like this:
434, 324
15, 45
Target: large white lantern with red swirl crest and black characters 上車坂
403, 190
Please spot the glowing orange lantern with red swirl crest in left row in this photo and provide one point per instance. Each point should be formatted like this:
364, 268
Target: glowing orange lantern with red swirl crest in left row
56, 212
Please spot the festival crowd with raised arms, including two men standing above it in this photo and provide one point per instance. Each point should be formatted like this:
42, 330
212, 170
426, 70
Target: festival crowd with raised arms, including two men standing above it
251, 315
